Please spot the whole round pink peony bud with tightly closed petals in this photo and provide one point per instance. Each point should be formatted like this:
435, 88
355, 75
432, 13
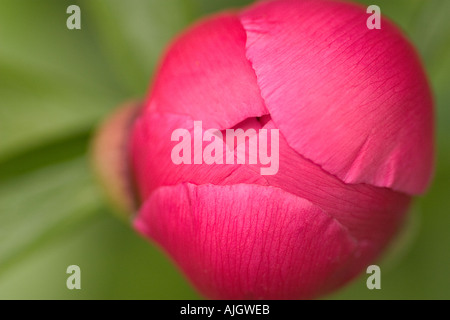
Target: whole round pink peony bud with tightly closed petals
355, 119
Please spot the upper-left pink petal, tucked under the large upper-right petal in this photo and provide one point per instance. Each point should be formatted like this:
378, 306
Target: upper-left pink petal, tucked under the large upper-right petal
206, 75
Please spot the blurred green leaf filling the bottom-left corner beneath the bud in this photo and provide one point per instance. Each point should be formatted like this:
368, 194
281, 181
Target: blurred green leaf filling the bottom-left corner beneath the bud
115, 264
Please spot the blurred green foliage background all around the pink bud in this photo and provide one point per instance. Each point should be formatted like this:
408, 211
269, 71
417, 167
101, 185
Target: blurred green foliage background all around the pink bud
56, 85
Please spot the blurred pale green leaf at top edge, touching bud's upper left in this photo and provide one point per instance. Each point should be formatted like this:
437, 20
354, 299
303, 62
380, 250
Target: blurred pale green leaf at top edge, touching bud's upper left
132, 35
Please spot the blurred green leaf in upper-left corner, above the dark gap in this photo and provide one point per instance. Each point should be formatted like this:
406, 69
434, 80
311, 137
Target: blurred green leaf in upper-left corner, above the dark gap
52, 80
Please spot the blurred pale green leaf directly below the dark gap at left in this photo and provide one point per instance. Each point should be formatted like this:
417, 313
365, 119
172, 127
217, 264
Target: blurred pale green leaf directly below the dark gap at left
38, 204
